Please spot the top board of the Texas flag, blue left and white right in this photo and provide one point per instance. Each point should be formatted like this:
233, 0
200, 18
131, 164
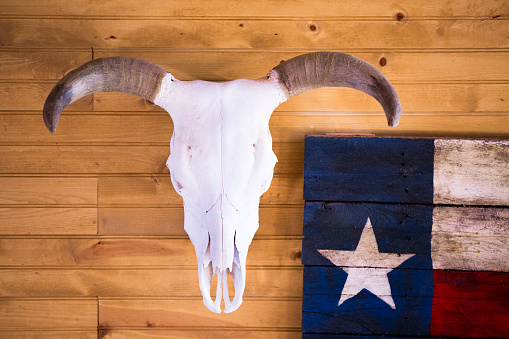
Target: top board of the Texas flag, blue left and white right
440, 171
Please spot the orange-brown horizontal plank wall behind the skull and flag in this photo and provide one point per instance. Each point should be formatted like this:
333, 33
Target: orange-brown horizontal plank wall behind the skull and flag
92, 241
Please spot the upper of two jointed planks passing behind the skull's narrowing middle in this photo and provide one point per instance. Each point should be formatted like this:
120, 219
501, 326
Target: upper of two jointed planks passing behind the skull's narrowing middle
157, 191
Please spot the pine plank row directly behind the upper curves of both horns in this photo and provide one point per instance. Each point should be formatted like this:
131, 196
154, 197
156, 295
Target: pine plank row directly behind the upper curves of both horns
220, 65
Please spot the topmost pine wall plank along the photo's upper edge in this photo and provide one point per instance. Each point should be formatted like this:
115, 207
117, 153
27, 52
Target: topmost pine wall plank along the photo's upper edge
272, 8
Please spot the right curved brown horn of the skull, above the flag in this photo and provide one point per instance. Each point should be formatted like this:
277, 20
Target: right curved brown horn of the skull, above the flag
333, 69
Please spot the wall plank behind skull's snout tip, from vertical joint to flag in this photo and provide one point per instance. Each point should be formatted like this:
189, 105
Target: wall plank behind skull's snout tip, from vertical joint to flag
191, 313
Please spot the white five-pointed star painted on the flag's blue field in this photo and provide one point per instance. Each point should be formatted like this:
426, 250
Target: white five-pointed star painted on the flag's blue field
366, 267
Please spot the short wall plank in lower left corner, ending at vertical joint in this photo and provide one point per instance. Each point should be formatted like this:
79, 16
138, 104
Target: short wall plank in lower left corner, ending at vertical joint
48, 314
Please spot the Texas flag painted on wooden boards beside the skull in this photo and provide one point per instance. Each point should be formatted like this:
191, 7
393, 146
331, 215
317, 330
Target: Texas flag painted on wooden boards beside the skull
406, 237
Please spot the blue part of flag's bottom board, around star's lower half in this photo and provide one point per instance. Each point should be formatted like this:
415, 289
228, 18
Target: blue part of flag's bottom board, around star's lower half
365, 313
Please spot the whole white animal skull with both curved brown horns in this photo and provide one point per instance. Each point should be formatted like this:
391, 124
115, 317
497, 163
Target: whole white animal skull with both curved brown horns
221, 158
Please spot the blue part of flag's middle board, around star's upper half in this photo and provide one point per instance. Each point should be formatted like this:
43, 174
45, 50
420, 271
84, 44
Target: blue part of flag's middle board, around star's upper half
338, 226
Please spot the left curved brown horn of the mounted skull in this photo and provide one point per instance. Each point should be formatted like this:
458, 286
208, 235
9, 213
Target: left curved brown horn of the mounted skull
113, 74
